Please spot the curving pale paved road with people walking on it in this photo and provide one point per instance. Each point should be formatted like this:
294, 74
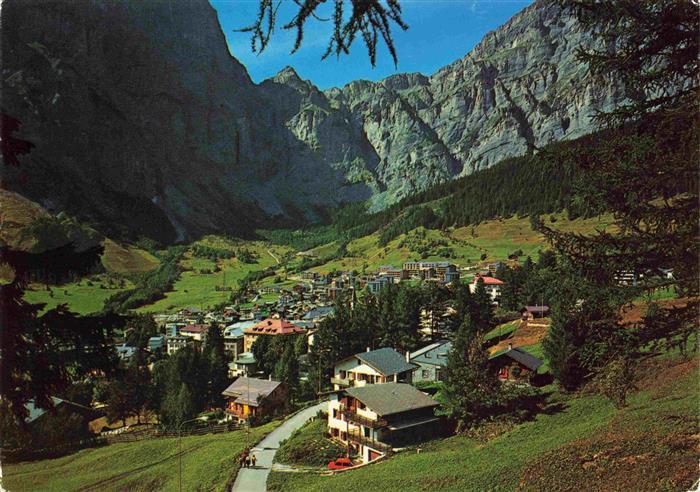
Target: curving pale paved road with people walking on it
255, 479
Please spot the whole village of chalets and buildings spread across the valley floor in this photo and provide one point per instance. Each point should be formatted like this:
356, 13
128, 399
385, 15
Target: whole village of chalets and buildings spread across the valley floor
378, 400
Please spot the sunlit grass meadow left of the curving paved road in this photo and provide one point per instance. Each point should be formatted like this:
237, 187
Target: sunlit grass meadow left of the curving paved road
208, 462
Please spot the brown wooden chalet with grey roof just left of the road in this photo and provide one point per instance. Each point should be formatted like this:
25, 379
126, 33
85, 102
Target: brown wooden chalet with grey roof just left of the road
251, 397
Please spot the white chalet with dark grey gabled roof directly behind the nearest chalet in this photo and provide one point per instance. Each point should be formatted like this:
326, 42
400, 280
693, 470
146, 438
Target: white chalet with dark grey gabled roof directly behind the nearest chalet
383, 365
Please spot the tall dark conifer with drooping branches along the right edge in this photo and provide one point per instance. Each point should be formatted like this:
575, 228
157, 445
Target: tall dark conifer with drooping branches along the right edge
646, 175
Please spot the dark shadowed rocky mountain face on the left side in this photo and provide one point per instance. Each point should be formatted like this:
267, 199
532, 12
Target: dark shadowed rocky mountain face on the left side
144, 123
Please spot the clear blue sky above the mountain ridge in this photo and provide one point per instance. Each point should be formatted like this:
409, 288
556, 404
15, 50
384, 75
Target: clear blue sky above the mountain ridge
440, 31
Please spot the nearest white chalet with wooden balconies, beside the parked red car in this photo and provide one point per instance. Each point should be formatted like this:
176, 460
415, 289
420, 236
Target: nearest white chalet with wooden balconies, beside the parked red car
373, 419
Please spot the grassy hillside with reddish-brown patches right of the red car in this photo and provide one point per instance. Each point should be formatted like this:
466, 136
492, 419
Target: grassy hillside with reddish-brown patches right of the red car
582, 443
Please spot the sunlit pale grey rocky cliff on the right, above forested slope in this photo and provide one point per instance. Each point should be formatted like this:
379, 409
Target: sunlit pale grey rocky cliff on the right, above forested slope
516, 91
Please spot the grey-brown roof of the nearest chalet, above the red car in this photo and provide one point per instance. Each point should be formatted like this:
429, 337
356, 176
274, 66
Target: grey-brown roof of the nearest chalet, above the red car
391, 398
